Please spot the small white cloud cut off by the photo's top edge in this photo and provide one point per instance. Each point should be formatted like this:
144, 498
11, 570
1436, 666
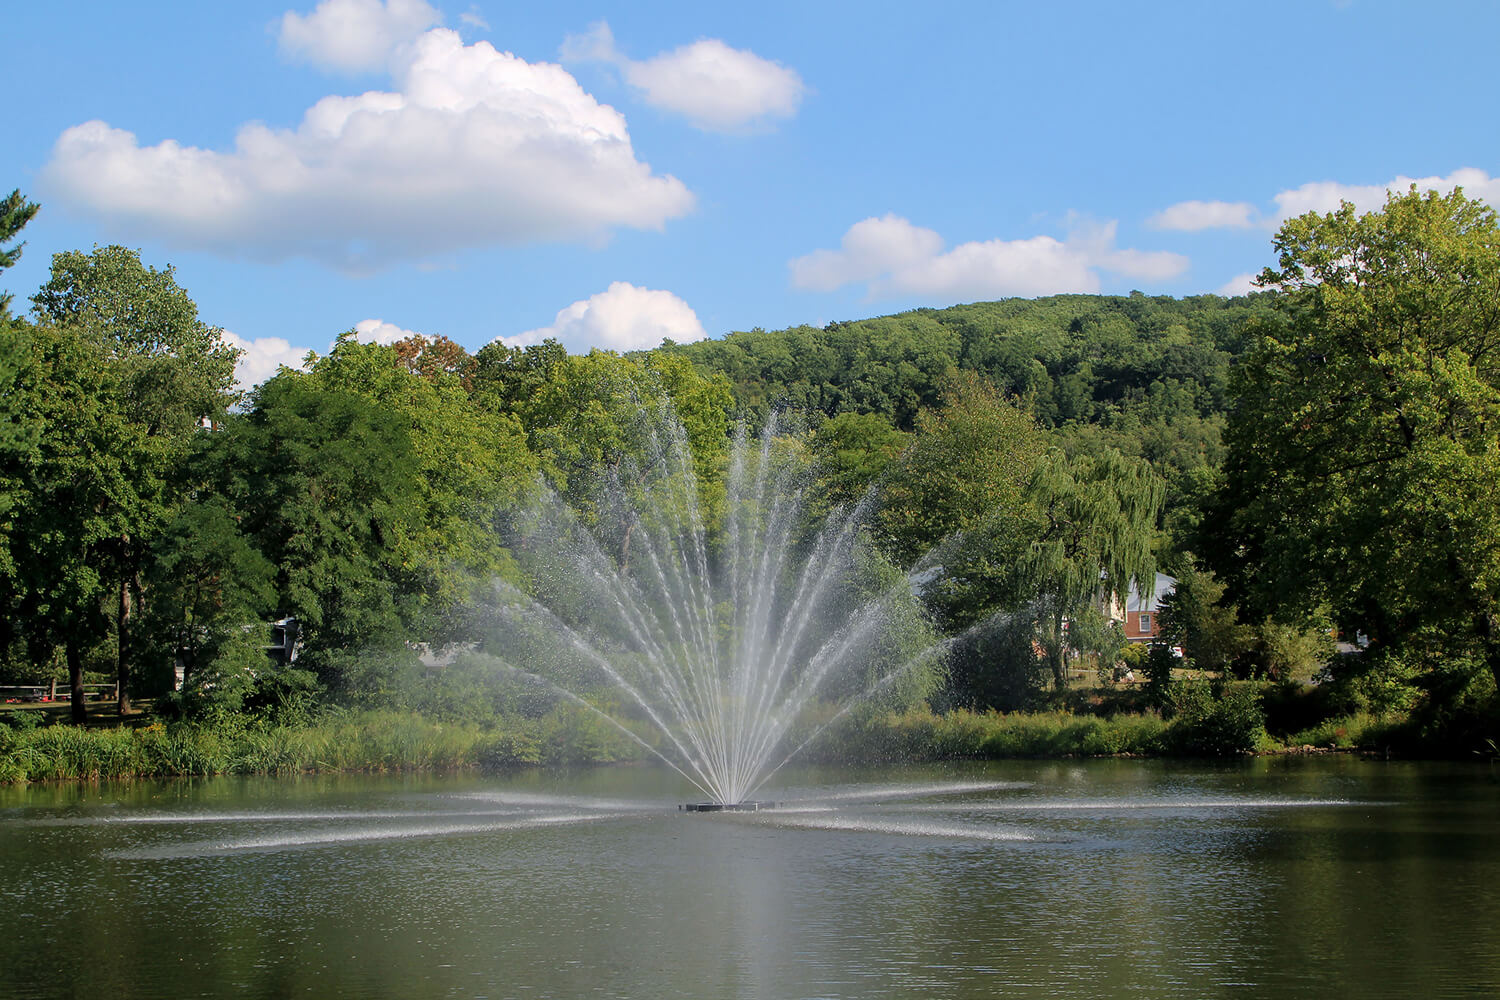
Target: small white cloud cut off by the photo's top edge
355, 35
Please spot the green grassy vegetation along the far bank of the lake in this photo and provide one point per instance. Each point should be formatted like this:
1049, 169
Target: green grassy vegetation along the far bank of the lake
383, 741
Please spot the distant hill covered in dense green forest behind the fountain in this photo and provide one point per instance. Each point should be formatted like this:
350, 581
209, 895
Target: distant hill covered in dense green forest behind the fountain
1144, 376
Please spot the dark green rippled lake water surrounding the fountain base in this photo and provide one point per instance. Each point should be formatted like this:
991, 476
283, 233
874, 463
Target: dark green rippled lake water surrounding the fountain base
1270, 878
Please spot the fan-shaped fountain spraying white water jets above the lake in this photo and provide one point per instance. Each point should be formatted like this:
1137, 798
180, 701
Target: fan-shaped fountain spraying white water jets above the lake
724, 626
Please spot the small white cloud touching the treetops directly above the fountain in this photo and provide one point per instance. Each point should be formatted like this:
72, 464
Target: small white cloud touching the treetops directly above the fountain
620, 319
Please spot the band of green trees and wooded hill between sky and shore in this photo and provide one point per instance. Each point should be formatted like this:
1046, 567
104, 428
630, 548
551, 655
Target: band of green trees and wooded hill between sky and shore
1313, 460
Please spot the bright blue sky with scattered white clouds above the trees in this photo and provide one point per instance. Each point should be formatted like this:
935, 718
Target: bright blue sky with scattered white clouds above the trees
611, 175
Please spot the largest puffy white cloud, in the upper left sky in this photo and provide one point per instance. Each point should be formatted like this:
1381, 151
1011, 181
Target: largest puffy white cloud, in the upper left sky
473, 148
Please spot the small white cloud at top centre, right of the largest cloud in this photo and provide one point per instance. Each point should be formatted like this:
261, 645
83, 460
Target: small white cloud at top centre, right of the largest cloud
716, 88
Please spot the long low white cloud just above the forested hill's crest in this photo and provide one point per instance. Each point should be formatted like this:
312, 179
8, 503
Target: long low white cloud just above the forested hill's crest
895, 257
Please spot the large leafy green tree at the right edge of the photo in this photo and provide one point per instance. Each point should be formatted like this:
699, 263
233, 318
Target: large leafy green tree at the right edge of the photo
1364, 452
